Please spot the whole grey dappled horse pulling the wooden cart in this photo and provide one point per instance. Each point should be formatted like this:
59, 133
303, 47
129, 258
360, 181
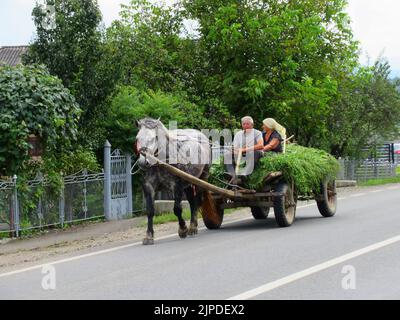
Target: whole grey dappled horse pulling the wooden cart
188, 150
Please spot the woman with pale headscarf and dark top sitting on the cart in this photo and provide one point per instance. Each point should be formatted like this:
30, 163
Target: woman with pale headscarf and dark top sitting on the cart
274, 136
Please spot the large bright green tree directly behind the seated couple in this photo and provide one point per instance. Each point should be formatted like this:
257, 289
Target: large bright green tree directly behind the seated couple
276, 58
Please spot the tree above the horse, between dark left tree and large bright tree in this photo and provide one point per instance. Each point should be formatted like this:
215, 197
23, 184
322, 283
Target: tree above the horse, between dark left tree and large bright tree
146, 48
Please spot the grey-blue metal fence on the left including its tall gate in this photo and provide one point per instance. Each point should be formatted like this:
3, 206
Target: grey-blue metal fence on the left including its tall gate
84, 195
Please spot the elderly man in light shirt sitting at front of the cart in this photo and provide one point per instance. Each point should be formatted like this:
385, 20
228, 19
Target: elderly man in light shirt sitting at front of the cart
247, 143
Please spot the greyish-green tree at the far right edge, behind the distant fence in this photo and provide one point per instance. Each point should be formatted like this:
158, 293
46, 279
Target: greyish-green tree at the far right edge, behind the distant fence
367, 110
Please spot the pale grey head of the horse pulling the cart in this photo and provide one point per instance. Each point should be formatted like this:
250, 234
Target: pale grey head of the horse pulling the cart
147, 140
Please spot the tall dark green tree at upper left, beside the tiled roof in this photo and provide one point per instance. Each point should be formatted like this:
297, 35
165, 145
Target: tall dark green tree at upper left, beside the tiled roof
72, 50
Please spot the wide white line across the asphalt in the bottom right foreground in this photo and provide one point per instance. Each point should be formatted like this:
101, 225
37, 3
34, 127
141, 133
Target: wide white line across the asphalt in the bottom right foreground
317, 268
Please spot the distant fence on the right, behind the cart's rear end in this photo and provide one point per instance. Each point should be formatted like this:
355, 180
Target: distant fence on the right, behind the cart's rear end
367, 169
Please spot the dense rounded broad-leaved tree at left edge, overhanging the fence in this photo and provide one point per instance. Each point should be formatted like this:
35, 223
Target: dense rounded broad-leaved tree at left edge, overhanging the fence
33, 102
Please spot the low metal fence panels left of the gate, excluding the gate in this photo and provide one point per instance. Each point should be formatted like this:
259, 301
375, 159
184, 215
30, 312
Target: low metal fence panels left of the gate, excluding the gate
37, 204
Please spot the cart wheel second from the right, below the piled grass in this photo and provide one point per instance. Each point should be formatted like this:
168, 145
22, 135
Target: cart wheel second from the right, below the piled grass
285, 205
